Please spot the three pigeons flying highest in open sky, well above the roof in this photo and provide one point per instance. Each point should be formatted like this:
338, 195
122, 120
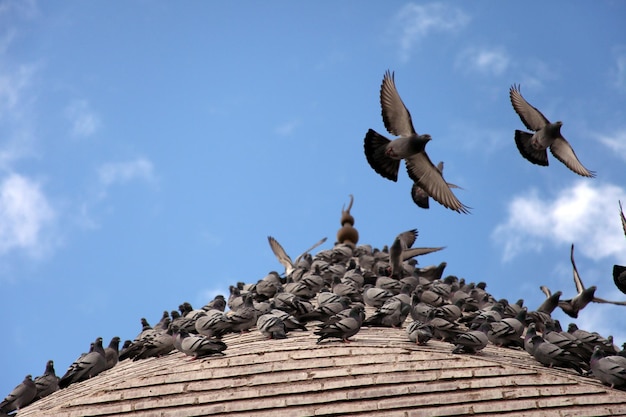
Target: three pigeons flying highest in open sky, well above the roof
384, 155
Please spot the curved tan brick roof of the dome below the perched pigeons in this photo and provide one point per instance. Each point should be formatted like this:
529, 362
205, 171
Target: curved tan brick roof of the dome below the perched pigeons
379, 373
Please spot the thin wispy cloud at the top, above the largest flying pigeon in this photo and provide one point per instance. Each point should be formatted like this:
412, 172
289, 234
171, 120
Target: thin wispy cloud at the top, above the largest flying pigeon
416, 21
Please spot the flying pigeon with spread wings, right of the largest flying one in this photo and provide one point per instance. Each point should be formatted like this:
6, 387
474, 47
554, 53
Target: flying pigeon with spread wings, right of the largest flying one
547, 135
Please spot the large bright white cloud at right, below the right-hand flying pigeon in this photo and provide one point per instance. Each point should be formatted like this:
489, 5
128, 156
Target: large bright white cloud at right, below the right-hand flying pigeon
584, 214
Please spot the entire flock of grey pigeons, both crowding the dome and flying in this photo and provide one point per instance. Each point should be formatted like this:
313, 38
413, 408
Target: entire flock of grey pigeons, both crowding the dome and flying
333, 287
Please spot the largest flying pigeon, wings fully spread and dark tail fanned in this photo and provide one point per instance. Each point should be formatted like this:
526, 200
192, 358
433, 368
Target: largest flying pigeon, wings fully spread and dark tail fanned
384, 155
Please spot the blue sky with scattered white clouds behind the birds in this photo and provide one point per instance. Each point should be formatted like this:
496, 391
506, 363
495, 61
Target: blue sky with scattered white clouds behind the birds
147, 150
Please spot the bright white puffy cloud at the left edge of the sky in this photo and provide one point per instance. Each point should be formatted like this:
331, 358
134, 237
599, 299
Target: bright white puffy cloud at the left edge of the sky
25, 214
